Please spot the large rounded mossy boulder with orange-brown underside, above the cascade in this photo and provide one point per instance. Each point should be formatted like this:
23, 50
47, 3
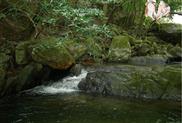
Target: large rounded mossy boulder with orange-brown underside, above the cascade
52, 52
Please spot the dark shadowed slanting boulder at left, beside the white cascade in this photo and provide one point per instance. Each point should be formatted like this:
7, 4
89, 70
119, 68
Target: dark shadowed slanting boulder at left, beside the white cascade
24, 79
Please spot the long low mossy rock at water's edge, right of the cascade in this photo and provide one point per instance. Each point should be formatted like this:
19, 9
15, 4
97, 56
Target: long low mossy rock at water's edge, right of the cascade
135, 82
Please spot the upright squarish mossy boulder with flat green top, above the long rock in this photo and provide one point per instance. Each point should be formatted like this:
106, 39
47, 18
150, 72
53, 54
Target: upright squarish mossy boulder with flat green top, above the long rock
120, 49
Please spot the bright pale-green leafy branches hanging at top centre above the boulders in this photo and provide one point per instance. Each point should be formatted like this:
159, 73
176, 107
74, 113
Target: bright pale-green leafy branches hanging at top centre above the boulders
78, 21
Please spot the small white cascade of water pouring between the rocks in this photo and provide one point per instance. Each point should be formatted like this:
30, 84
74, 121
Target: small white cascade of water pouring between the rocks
66, 85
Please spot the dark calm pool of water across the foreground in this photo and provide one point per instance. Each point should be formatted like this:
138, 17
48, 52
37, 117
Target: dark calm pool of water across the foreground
83, 108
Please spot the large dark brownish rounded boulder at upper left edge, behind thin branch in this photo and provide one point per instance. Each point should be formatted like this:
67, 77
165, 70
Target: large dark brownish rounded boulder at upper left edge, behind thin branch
16, 27
